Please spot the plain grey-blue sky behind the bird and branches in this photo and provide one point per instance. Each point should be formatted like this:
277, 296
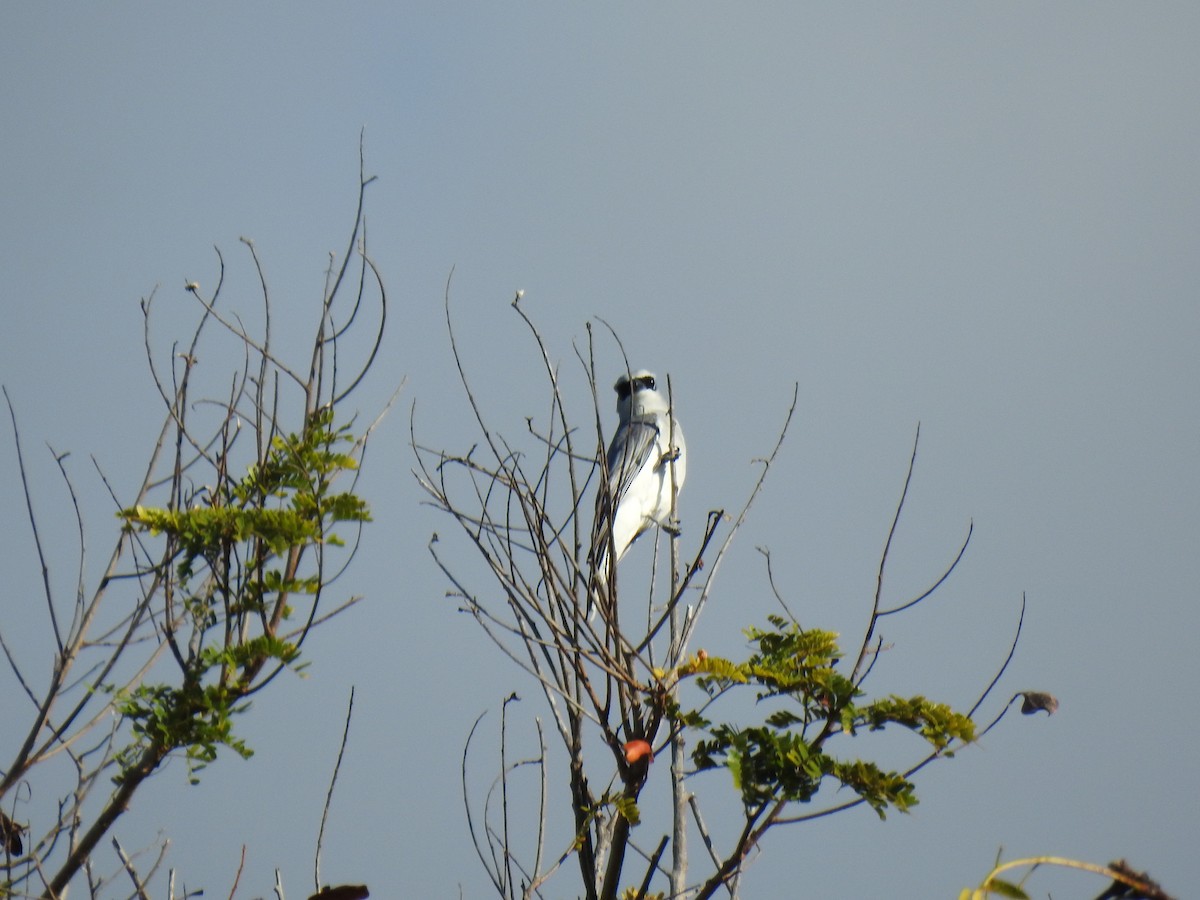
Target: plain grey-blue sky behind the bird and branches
977, 218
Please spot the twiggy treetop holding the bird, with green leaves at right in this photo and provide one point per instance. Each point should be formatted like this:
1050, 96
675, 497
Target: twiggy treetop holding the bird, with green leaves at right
613, 683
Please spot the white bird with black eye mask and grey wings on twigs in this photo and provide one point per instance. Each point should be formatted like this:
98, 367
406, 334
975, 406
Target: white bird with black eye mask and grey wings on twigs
646, 466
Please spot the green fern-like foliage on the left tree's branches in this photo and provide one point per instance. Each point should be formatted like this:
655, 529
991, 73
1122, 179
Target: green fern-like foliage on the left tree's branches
232, 562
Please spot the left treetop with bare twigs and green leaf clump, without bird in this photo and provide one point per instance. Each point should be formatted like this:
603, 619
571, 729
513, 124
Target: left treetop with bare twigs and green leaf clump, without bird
248, 511
